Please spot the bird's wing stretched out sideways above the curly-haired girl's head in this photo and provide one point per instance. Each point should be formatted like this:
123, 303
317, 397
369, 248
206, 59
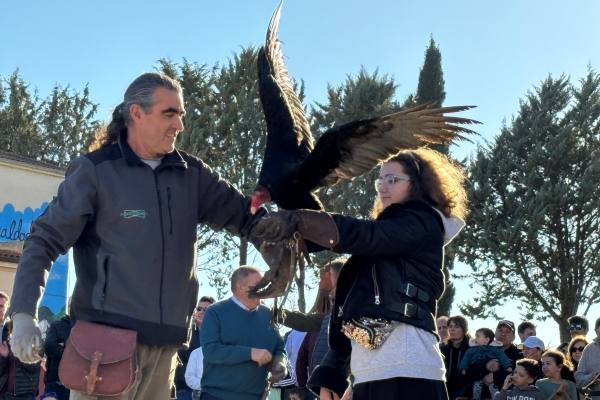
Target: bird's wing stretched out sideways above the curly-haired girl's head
350, 150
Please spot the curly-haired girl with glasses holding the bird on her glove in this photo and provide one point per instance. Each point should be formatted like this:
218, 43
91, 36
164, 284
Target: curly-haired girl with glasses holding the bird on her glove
382, 327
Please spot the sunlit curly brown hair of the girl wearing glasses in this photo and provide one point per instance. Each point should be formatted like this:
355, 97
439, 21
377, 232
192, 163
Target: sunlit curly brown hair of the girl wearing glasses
434, 179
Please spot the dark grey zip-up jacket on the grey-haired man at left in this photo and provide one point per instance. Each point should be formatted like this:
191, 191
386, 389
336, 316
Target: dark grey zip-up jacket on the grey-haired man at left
133, 231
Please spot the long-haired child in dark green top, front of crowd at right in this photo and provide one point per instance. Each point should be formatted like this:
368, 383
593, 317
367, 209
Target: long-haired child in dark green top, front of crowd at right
553, 385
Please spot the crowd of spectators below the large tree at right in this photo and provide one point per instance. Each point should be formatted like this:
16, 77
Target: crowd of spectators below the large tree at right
488, 369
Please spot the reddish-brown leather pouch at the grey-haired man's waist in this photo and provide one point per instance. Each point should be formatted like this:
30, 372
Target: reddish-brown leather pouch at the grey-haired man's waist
98, 359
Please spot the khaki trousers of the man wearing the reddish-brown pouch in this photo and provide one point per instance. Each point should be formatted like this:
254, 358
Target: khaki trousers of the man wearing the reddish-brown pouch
153, 378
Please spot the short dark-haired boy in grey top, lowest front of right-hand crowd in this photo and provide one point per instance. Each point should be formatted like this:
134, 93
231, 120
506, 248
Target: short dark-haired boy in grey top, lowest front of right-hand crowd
519, 385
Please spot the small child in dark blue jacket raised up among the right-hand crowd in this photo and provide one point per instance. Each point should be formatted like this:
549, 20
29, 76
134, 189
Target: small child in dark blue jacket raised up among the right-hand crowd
483, 349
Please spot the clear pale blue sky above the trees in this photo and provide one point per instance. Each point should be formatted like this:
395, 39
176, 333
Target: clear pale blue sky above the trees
492, 52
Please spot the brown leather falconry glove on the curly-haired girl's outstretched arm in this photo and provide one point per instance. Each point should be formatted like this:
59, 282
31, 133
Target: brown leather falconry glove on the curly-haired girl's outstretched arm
315, 226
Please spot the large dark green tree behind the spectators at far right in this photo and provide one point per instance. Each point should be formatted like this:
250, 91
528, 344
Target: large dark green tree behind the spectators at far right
533, 232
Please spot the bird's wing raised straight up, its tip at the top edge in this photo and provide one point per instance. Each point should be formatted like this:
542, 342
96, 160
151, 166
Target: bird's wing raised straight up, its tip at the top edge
289, 139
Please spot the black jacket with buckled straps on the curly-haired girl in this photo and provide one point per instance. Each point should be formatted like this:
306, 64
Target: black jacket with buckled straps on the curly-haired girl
395, 273
